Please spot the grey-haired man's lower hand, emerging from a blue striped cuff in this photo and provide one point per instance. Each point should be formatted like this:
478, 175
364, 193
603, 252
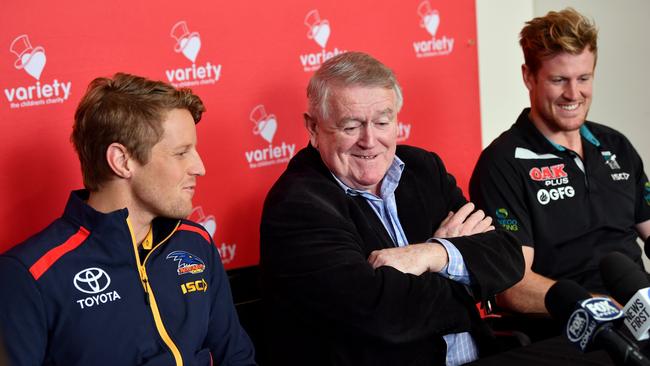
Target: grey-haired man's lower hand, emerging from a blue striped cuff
415, 258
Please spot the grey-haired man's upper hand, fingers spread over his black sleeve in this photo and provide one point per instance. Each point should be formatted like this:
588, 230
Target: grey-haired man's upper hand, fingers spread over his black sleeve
464, 222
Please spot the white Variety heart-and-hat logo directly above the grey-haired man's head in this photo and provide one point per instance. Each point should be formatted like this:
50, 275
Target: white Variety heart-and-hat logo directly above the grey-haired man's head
319, 31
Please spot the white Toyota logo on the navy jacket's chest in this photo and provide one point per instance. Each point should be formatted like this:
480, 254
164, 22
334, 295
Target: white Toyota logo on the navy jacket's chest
94, 281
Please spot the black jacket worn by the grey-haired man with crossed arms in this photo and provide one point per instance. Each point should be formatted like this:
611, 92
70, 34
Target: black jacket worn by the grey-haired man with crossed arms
327, 306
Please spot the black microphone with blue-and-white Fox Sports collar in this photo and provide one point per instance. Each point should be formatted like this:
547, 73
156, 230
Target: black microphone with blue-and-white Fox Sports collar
590, 322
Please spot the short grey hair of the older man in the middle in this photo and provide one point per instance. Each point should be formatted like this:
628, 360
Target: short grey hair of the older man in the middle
349, 69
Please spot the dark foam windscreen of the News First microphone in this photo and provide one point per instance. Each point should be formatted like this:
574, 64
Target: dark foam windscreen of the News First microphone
622, 276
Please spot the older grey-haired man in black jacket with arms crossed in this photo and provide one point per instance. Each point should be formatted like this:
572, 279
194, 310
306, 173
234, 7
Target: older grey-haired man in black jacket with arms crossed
370, 253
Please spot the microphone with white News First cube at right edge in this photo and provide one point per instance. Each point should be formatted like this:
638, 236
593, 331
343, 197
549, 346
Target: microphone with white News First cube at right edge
628, 284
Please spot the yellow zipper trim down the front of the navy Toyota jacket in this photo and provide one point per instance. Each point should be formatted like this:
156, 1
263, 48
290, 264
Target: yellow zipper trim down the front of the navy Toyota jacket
150, 299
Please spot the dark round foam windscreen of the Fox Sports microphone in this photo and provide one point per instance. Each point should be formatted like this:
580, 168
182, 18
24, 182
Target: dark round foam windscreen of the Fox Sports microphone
562, 298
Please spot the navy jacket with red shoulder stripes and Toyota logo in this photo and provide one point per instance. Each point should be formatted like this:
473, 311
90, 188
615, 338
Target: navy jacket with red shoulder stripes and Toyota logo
75, 294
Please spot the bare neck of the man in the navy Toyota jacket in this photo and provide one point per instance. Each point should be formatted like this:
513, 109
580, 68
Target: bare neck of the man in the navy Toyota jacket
109, 199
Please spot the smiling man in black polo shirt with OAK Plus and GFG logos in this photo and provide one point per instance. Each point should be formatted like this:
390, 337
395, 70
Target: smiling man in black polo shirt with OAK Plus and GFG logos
570, 189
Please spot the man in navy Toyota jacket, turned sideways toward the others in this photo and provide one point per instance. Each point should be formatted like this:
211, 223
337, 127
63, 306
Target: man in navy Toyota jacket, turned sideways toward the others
122, 278
